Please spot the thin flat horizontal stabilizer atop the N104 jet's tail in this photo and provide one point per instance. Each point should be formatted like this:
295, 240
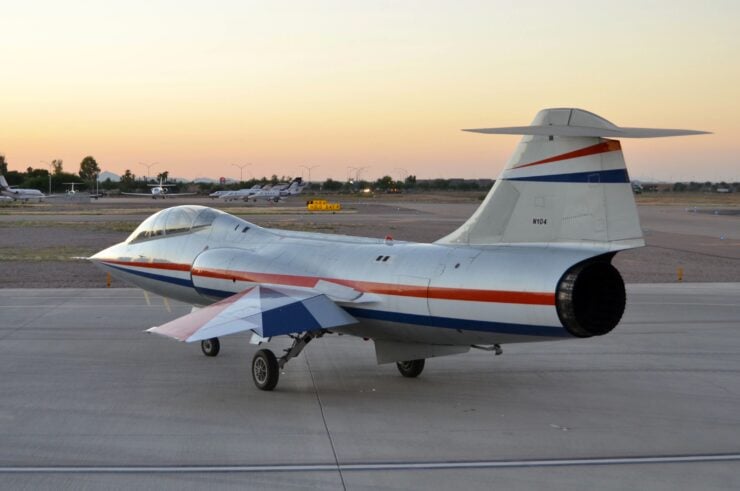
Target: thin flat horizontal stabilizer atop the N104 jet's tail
557, 130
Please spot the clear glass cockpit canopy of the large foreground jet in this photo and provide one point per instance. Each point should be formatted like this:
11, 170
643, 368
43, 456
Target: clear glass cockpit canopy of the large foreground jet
175, 220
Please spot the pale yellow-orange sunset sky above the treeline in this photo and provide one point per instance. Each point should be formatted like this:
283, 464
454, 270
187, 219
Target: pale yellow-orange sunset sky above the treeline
200, 85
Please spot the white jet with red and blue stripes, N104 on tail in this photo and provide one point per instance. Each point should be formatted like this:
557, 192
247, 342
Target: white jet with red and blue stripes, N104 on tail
533, 263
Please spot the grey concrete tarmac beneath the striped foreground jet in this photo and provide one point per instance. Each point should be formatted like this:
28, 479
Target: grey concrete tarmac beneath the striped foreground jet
89, 401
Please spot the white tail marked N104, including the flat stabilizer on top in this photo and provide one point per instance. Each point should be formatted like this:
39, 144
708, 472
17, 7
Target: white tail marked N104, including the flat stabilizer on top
565, 183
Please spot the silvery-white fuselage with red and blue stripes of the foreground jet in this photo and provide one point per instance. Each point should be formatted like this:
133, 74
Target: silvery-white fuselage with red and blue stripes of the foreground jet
423, 293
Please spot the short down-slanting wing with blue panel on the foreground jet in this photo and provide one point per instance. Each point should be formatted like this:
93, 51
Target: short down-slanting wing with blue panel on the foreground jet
265, 310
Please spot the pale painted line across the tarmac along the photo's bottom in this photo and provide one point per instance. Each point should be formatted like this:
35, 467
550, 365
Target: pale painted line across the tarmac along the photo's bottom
394, 466
